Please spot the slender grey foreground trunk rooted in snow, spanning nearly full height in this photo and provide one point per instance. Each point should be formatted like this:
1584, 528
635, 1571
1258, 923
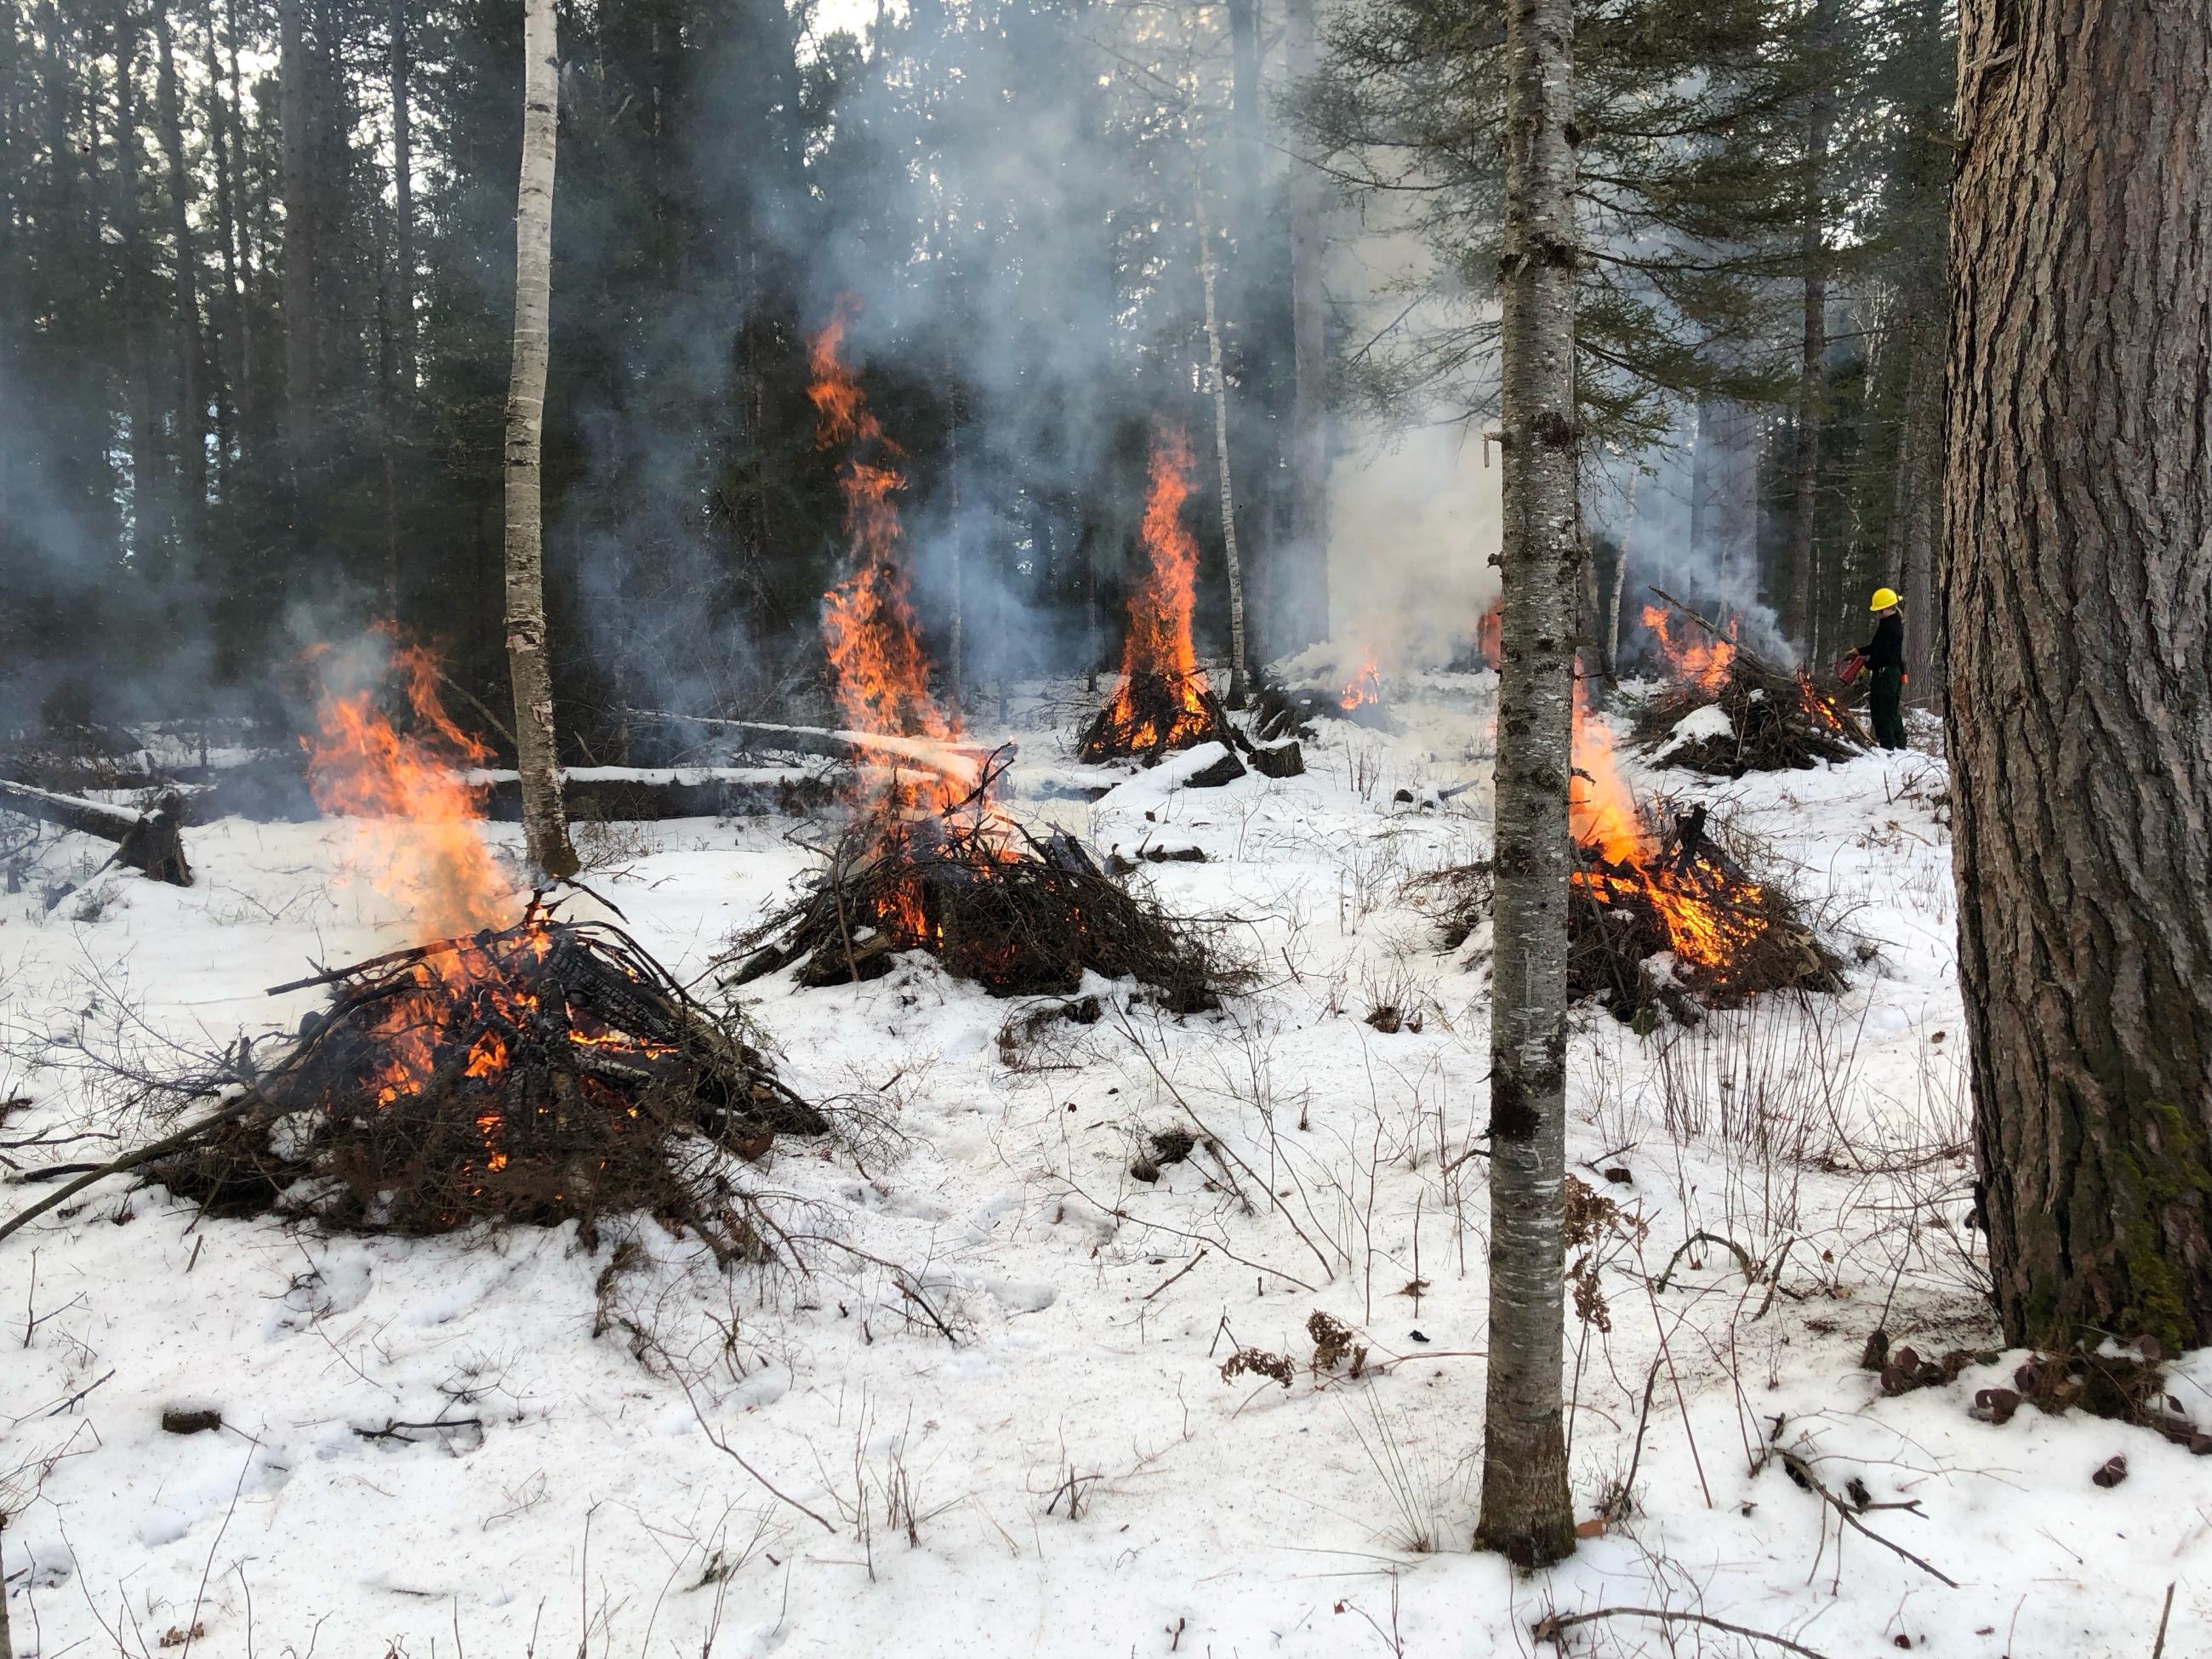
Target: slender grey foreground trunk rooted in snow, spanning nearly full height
1525, 1505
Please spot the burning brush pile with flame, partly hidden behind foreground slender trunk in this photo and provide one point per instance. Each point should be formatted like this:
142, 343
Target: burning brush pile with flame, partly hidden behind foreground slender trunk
1658, 919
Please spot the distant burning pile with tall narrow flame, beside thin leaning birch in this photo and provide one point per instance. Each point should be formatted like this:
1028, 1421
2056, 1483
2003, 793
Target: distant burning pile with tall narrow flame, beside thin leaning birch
1162, 702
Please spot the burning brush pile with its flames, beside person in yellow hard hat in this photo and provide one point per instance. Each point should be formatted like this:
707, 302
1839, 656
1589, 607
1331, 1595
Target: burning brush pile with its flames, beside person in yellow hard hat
1729, 713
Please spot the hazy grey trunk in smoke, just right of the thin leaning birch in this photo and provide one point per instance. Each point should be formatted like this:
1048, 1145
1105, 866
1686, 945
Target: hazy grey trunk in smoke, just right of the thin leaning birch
1308, 556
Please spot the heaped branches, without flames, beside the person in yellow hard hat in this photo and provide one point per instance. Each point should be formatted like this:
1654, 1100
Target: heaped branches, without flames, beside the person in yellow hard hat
1775, 720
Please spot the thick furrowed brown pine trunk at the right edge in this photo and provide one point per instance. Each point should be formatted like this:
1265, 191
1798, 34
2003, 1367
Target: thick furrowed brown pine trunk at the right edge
2080, 627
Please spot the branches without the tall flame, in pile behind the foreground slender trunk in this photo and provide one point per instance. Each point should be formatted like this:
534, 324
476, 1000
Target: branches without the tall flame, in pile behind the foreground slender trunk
1620, 948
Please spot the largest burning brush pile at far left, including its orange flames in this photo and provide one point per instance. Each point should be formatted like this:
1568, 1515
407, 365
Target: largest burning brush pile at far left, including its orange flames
521, 1072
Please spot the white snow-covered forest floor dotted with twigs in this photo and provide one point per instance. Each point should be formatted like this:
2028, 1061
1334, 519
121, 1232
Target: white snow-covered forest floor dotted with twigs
669, 1459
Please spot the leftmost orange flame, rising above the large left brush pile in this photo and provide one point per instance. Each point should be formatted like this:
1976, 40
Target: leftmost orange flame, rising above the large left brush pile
415, 817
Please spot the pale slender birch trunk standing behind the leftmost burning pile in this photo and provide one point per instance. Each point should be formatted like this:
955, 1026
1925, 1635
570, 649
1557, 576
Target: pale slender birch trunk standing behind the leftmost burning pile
543, 817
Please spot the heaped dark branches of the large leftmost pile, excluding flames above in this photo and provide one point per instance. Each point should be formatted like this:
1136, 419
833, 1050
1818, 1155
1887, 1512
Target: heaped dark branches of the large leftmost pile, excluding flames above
541, 1074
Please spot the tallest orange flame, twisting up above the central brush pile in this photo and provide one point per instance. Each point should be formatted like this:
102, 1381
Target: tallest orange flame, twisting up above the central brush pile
868, 620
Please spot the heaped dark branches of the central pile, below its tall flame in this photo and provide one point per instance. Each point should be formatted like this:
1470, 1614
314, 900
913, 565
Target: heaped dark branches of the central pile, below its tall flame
1019, 917
